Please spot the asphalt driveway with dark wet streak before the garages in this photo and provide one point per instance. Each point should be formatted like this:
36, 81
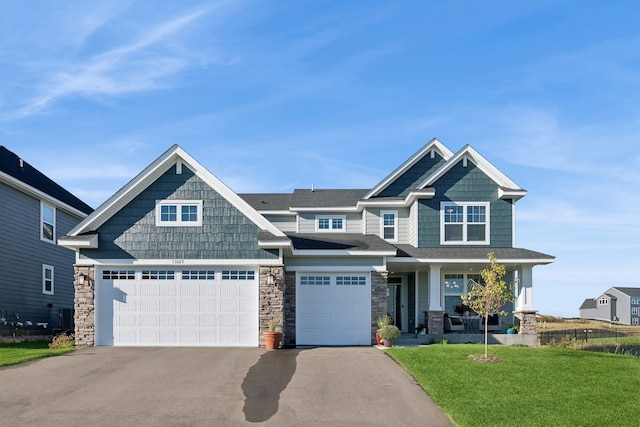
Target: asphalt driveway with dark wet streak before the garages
105, 386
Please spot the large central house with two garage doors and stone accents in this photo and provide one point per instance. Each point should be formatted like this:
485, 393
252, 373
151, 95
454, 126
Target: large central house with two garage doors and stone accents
177, 258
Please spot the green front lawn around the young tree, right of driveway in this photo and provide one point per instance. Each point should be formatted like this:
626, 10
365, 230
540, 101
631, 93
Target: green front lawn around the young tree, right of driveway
529, 387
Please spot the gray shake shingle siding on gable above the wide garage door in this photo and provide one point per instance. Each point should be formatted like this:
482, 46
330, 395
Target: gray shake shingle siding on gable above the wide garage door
225, 234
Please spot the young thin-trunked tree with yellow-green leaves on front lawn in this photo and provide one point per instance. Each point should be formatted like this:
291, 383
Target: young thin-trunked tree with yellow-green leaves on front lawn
487, 299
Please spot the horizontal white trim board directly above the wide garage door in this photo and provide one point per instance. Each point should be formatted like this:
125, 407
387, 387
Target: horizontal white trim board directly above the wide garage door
178, 263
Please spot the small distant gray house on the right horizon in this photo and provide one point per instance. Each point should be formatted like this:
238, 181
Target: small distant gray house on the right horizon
615, 304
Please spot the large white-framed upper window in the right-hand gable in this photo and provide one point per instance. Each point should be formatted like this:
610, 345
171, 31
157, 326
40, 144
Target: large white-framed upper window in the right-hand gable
466, 223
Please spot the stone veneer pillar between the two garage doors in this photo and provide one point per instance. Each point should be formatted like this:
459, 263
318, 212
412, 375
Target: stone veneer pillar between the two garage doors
271, 299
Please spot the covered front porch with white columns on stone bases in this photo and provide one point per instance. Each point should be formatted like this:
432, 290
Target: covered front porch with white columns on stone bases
424, 287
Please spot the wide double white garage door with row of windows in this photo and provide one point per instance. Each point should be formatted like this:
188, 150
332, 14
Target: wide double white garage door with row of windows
185, 307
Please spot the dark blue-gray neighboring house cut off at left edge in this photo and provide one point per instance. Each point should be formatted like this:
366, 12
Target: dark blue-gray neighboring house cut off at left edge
36, 284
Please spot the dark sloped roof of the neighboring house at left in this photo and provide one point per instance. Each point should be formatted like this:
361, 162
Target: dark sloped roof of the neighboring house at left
18, 173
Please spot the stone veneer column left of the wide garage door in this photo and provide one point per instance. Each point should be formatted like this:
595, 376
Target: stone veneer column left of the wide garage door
84, 305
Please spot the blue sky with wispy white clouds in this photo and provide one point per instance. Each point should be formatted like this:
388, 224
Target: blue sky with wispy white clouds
276, 95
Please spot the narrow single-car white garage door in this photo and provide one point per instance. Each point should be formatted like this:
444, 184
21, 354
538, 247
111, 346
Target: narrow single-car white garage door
333, 309
